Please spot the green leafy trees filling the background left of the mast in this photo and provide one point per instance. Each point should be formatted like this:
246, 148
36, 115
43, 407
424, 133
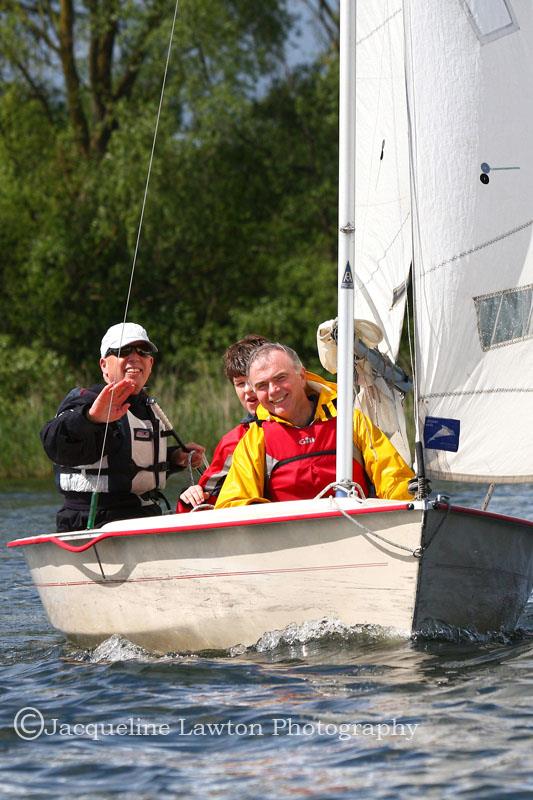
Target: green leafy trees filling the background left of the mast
239, 229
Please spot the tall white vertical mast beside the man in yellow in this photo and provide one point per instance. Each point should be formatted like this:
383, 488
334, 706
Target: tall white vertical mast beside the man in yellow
345, 343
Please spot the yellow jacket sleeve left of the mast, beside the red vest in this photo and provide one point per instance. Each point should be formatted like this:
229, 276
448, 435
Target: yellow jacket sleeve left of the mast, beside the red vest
245, 481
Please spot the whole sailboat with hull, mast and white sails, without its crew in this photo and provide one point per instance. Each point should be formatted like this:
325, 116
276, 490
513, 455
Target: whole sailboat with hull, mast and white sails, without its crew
437, 178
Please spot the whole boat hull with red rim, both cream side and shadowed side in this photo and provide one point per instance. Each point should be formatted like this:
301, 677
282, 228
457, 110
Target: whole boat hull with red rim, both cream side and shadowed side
215, 579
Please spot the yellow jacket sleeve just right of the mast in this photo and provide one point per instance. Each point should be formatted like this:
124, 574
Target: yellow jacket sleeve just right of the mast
384, 465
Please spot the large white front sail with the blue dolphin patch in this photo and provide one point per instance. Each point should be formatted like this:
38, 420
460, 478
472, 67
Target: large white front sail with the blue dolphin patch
470, 94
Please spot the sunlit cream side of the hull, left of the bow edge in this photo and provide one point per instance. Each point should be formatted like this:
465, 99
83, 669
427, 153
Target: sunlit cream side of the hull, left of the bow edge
213, 586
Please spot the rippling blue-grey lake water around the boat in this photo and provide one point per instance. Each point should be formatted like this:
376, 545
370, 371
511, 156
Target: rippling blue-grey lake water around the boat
318, 712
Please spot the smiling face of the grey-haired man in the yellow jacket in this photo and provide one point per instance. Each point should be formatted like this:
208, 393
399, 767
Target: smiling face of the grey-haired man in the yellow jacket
280, 387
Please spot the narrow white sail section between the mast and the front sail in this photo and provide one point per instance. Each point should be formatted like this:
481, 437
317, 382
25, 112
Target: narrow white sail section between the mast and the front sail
383, 223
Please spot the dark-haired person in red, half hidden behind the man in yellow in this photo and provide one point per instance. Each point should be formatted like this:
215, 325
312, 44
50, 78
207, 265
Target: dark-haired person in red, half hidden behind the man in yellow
235, 361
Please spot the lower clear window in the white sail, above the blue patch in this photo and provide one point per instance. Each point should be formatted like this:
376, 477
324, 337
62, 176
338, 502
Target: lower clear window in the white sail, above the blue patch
505, 317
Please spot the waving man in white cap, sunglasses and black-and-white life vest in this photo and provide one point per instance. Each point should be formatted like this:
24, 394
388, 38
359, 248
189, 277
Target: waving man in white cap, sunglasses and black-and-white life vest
111, 438
